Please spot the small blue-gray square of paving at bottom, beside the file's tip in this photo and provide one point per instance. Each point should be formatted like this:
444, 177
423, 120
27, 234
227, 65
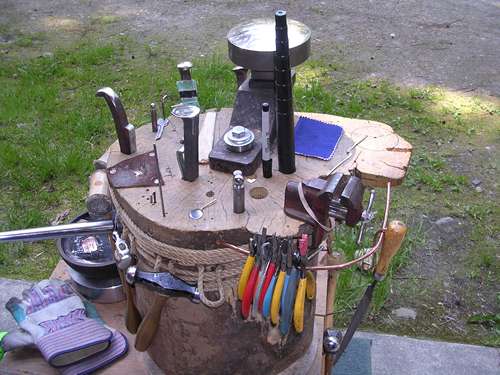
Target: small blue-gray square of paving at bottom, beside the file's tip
357, 359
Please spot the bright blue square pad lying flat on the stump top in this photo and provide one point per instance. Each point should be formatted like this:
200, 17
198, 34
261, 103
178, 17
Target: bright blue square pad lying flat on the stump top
315, 138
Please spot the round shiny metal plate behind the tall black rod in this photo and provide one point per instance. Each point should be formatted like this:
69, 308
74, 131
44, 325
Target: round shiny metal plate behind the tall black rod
252, 44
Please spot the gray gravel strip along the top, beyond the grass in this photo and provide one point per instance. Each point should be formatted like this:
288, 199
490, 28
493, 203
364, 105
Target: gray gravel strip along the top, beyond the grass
453, 43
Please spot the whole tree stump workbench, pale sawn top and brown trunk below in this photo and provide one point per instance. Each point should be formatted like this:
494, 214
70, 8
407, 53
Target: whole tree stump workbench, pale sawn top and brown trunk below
196, 339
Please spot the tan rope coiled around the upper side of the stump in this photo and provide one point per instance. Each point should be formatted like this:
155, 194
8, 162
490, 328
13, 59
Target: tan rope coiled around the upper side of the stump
212, 270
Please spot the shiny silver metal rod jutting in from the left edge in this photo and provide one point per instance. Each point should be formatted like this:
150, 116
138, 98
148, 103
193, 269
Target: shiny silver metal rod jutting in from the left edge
57, 231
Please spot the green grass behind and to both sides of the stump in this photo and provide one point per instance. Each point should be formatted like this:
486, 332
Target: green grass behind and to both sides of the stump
52, 127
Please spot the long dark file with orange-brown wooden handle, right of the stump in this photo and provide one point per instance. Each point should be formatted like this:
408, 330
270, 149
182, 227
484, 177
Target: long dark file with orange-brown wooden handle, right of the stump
393, 238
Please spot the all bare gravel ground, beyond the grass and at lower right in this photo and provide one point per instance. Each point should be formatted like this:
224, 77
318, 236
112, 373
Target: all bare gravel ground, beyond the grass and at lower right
454, 44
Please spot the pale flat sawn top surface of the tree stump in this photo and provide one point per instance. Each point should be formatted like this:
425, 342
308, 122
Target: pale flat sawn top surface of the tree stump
383, 156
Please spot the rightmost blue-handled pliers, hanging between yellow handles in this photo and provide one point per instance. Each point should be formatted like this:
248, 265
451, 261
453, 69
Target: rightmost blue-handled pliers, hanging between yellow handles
289, 290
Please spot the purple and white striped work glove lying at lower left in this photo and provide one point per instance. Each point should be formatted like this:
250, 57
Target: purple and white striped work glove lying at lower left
53, 318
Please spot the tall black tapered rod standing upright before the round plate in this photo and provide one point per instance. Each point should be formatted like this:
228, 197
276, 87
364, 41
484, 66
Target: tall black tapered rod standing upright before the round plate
284, 99
